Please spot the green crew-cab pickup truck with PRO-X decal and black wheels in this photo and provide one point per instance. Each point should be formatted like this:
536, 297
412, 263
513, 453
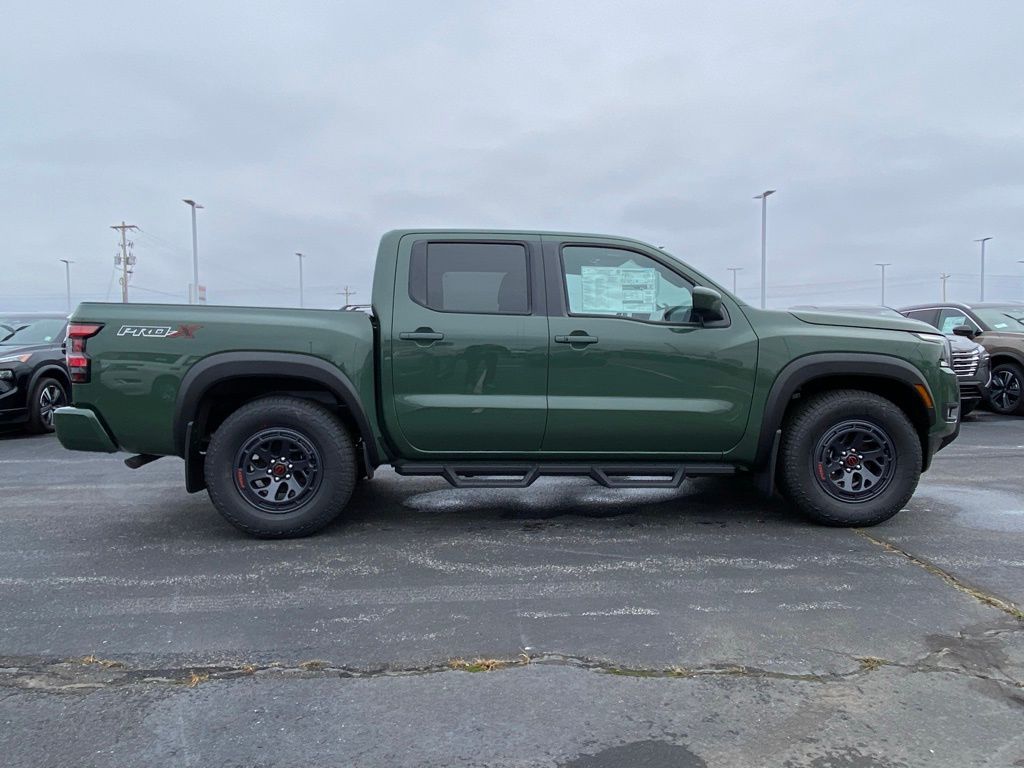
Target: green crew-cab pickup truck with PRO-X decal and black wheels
491, 359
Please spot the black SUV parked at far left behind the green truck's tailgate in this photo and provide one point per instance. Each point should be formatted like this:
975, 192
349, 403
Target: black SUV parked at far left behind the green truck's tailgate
34, 378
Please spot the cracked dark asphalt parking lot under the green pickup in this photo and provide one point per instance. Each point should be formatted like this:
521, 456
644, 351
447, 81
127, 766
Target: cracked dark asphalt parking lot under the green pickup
565, 625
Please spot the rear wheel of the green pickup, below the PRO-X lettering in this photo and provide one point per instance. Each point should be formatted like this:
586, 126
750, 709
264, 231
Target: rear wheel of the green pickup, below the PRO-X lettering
281, 467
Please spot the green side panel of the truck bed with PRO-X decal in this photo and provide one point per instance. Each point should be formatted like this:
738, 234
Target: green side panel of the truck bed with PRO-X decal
144, 352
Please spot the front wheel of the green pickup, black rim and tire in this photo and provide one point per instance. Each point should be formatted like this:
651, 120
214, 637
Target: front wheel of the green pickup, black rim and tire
849, 458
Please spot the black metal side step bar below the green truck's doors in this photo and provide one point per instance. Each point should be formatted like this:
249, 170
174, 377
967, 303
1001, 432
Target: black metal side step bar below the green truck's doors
524, 475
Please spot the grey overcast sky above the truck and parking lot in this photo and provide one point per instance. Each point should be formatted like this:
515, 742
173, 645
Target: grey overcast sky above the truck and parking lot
893, 132
